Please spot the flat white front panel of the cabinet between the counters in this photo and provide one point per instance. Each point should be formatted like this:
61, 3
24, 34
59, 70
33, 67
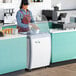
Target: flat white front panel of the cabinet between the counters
41, 52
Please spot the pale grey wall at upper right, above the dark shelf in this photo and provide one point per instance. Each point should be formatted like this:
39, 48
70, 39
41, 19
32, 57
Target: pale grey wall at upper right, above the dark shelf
65, 4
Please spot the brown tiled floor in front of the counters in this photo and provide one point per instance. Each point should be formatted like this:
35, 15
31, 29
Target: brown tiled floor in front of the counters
64, 70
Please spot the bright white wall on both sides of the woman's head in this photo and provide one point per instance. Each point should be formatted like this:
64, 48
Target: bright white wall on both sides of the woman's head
34, 7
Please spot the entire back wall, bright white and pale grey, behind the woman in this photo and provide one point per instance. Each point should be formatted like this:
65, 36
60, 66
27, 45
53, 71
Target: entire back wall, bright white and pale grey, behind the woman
36, 8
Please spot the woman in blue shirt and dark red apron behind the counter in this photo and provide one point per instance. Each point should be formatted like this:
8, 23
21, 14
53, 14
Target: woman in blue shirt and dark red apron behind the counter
24, 17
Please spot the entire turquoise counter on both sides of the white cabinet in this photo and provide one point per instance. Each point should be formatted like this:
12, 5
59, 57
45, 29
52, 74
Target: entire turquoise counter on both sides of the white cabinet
13, 48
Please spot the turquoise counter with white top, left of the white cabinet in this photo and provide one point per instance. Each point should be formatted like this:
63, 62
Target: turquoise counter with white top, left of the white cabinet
13, 53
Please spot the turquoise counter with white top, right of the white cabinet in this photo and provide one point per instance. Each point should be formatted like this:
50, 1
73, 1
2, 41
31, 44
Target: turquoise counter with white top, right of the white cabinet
63, 45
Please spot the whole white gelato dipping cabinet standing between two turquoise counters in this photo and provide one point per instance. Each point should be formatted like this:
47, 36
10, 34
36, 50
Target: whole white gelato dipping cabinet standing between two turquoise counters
39, 50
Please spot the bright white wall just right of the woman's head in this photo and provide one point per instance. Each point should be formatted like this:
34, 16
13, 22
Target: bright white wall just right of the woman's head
37, 7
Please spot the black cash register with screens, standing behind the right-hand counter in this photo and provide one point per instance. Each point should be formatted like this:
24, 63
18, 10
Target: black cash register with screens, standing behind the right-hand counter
51, 15
